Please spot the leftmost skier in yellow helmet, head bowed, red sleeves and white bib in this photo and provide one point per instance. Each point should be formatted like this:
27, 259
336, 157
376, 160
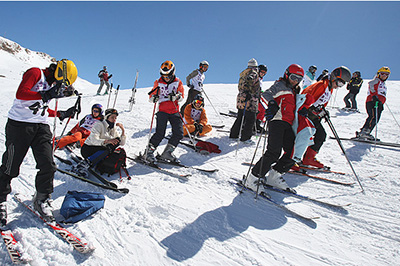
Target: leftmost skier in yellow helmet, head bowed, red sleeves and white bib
27, 127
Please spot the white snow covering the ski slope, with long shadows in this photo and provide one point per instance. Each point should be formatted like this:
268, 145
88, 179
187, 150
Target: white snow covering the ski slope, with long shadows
205, 221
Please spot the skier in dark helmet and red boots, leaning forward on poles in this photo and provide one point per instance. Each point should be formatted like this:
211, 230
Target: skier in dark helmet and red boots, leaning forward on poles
321, 91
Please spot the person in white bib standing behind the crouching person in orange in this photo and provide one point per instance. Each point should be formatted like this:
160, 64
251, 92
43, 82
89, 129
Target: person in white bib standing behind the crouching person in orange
195, 82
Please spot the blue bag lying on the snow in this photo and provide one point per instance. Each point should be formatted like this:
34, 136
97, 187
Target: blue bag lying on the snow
79, 205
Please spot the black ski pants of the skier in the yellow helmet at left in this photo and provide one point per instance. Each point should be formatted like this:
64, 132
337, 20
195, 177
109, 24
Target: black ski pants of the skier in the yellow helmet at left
20, 136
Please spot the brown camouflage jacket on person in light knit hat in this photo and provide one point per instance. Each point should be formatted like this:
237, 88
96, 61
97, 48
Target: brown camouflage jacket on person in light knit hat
249, 87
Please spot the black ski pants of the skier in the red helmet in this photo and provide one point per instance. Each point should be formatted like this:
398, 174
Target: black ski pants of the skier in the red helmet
280, 137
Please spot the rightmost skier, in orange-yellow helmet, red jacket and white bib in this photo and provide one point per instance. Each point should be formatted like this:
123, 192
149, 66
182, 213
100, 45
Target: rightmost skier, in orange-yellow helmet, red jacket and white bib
374, 103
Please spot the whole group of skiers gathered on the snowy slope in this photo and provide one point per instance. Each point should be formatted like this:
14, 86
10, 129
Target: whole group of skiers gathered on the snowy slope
292, 116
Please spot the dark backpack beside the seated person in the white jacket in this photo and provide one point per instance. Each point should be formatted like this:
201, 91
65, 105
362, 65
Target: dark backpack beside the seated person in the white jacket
113, 163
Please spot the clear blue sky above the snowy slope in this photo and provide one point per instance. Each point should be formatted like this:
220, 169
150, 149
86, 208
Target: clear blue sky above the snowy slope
126, 36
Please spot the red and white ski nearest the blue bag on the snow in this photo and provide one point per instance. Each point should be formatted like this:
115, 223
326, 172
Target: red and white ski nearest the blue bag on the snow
70, 238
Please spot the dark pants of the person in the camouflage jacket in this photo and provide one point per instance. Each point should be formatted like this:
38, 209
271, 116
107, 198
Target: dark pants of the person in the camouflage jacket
248, 125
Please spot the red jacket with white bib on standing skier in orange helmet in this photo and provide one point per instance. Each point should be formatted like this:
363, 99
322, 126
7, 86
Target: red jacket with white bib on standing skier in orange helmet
163, 89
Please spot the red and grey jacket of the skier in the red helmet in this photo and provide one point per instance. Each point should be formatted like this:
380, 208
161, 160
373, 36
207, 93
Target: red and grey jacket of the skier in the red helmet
286, 99
